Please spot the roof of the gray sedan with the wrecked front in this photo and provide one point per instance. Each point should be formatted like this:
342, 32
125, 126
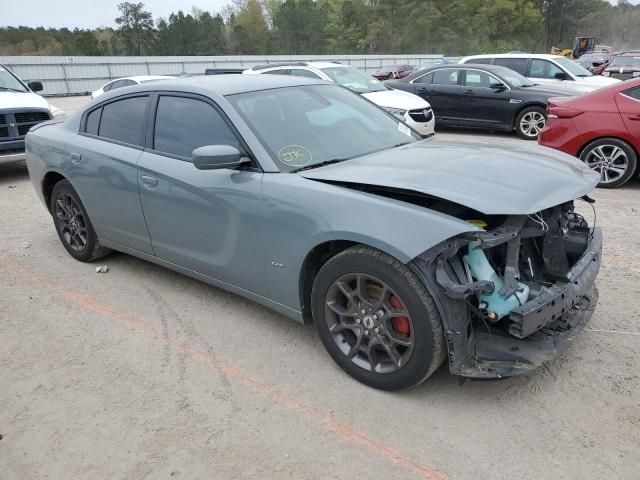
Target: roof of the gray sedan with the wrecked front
229, 84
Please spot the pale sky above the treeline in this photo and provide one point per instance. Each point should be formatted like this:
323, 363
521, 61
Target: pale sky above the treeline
93, 13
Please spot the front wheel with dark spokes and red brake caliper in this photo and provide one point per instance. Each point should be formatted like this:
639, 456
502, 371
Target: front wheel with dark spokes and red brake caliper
377, 320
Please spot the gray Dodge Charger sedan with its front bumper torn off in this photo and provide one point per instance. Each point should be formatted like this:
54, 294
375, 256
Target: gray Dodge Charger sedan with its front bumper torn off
309, 199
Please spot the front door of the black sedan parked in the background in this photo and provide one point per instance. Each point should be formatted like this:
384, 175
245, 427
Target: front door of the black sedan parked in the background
482, 104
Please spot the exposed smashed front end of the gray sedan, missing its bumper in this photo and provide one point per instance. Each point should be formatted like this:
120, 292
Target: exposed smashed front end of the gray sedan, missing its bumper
512, 295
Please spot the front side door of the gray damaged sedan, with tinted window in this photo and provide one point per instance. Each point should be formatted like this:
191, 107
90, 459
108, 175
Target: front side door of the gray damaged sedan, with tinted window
208, 221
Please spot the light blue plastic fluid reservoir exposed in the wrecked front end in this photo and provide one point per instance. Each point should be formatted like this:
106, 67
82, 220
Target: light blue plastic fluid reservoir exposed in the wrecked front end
481, 269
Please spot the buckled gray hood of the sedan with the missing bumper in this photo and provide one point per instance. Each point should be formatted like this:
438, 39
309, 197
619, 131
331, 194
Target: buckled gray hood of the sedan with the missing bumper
483, 175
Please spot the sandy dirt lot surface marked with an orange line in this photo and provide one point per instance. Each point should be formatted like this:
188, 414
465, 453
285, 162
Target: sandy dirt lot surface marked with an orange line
141, 372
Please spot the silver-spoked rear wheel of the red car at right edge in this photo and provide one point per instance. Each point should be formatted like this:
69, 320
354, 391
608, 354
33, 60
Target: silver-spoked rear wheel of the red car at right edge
613, 159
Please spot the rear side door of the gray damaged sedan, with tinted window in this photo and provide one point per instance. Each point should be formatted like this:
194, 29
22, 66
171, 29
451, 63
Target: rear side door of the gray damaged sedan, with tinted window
102, 167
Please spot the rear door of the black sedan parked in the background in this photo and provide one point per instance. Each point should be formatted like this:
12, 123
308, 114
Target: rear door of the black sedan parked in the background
442, 89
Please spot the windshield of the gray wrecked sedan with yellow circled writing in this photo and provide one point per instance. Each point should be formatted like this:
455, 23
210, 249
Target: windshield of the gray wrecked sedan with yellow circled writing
307, 125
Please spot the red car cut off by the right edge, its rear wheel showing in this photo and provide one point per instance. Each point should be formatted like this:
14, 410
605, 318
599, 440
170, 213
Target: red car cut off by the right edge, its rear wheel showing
601, 128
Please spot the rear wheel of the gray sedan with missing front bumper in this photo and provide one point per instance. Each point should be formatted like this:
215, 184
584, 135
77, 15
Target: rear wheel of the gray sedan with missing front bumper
73, 225
